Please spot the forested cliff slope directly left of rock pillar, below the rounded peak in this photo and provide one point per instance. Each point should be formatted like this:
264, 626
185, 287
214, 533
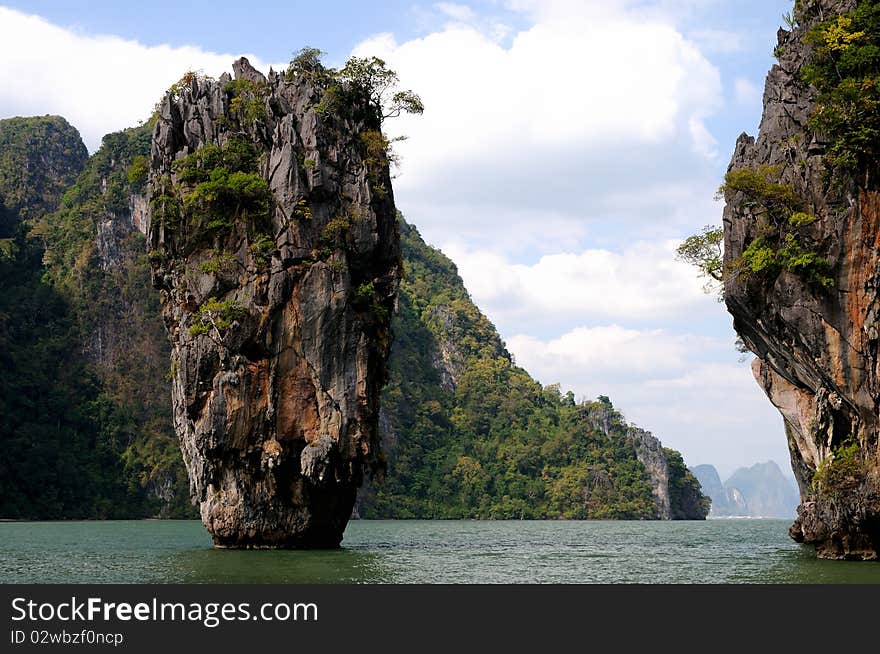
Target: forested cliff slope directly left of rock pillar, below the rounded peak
85, 353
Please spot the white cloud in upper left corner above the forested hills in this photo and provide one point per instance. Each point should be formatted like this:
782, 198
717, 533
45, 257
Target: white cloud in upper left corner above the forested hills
99, 83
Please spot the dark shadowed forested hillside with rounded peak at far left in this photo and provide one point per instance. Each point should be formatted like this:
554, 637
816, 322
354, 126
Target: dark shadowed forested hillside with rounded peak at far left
54, 461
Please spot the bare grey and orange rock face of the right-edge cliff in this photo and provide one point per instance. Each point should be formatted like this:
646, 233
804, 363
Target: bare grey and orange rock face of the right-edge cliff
817, 348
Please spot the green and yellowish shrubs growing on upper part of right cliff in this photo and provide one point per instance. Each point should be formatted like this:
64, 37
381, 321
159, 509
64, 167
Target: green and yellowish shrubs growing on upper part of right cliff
844, 69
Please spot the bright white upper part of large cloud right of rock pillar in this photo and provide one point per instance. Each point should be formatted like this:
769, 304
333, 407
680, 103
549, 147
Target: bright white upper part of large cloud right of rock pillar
559, 86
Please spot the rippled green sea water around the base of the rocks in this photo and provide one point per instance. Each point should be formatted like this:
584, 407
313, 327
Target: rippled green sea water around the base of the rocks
458, 552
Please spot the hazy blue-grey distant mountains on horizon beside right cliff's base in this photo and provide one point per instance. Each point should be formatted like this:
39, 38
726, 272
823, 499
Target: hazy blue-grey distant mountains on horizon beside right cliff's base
761, 491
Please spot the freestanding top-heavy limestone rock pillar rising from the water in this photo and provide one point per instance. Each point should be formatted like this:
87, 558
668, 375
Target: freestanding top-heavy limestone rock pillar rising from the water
279, 323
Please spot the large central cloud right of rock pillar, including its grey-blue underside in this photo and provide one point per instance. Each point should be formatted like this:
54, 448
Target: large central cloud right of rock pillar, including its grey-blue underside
592, 100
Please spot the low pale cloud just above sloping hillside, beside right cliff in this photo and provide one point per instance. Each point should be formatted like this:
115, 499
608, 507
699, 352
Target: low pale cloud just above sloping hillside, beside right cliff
686, 389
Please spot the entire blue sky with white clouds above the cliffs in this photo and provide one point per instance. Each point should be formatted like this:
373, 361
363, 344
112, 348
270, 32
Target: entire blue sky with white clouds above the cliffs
566, 148
